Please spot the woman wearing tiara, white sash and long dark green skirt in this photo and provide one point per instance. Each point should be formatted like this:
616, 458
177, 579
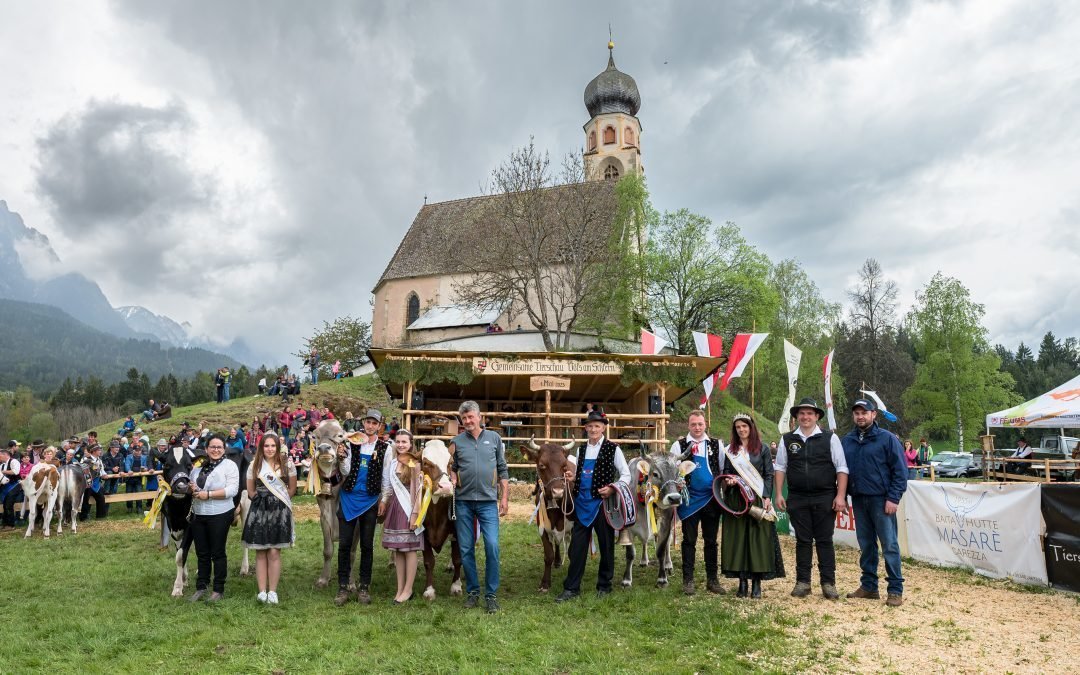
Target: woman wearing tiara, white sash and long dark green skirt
750, 549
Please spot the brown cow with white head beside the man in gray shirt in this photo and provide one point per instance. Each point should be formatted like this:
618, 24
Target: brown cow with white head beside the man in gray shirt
439, 524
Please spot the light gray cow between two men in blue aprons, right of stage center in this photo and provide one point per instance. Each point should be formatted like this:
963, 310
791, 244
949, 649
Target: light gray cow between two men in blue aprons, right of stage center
667, 475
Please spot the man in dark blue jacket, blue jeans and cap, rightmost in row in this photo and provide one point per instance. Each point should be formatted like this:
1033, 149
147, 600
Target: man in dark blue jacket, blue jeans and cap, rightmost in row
877, 480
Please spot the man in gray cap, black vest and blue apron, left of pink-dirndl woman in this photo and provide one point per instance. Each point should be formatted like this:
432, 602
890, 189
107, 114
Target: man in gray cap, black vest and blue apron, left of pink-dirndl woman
361, 464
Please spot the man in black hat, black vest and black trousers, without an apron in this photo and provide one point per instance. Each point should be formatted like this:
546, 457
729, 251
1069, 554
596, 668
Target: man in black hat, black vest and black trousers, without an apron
814, 464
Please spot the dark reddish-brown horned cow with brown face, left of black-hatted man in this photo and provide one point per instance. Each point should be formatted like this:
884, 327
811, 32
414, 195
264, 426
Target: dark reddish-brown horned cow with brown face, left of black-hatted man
552, 464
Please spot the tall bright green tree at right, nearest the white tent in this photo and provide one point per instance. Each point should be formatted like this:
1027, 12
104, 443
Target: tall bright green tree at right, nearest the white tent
957, 379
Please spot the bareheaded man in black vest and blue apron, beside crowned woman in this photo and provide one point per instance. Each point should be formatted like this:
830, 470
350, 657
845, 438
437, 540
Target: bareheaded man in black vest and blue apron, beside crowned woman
703, 509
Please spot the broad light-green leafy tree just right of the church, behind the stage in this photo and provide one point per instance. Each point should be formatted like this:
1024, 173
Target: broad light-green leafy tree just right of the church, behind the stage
703, 278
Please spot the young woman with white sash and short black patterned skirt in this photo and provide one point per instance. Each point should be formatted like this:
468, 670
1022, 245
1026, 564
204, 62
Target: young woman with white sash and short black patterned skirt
272, 484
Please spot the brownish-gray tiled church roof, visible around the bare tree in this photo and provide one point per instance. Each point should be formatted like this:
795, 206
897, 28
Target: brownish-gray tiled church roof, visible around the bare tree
429, 247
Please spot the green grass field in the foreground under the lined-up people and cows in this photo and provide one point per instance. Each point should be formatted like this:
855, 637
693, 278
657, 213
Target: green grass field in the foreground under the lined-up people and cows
100, 602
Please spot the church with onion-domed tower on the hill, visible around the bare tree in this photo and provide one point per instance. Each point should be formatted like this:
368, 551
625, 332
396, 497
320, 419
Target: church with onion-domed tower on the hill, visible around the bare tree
416, 305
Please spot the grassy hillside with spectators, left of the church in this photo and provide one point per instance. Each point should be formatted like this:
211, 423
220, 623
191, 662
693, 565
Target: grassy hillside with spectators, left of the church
349, 395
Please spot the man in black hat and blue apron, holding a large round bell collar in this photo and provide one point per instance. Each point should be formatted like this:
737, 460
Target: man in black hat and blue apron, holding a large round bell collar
600, 464
